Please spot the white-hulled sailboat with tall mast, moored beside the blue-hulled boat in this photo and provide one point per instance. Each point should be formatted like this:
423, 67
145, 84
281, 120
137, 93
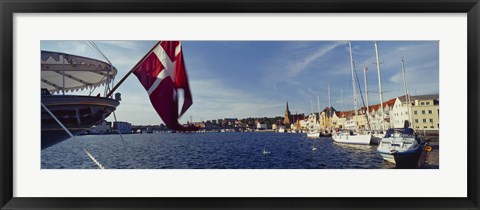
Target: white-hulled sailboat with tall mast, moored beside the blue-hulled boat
352, 137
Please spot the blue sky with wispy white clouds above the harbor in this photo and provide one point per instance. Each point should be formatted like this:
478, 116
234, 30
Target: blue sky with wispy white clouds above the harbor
255, 78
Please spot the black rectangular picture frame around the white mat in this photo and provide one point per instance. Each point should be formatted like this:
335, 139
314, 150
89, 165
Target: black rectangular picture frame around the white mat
10, 7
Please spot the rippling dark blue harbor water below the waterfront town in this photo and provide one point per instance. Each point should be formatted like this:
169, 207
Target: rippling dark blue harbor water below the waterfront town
236, 150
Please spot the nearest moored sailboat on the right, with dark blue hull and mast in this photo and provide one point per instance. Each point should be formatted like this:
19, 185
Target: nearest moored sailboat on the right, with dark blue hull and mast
402, 146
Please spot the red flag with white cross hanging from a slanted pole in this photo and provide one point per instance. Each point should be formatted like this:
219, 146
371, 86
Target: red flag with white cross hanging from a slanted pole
162, 72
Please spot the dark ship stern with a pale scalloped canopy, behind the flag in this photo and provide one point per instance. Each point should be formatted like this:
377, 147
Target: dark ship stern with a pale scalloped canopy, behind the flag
61, 73
